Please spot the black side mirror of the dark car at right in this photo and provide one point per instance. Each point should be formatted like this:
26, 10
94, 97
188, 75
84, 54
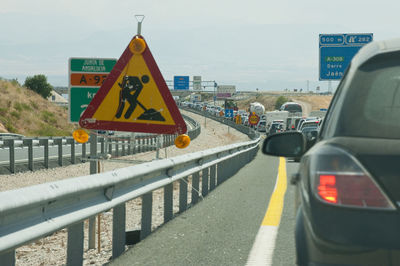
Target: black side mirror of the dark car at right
287, 144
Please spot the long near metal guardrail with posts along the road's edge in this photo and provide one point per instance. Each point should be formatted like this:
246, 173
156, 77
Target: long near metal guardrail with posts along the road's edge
34, 212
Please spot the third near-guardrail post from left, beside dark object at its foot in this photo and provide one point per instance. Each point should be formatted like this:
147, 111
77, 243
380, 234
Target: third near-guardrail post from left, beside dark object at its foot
119, 238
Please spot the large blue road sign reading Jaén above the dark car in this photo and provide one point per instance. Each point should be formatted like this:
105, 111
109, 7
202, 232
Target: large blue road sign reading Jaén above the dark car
336, 52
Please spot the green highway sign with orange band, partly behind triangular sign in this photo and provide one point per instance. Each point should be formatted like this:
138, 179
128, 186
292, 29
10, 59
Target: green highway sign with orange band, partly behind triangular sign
85, 78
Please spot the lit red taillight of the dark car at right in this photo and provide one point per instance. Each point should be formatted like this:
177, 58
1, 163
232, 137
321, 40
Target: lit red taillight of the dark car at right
339, 179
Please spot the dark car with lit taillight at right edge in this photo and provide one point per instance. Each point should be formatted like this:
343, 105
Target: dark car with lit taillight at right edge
348, 183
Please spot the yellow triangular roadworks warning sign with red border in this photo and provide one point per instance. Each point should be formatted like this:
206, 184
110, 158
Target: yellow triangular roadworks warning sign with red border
134, 97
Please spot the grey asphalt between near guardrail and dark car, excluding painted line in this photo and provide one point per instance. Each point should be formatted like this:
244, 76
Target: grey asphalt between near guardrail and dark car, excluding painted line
221, 229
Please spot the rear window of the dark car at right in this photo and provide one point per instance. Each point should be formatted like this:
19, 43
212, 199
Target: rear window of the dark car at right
371, 107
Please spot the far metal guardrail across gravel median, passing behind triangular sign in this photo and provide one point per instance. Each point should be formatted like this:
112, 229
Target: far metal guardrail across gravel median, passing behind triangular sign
114, 145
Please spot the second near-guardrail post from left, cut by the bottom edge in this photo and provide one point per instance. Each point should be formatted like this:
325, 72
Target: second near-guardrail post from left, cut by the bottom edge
75, 244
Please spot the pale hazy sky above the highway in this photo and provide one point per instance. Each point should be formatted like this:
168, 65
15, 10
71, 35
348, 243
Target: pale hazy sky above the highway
253, 44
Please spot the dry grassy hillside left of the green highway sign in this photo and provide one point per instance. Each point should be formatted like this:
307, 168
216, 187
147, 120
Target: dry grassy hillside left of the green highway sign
22, 111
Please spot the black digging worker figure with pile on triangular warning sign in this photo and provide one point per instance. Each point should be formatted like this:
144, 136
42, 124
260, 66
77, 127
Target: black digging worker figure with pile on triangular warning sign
131, 87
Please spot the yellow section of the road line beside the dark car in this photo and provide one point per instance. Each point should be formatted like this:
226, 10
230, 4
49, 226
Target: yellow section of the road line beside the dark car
275, 207
